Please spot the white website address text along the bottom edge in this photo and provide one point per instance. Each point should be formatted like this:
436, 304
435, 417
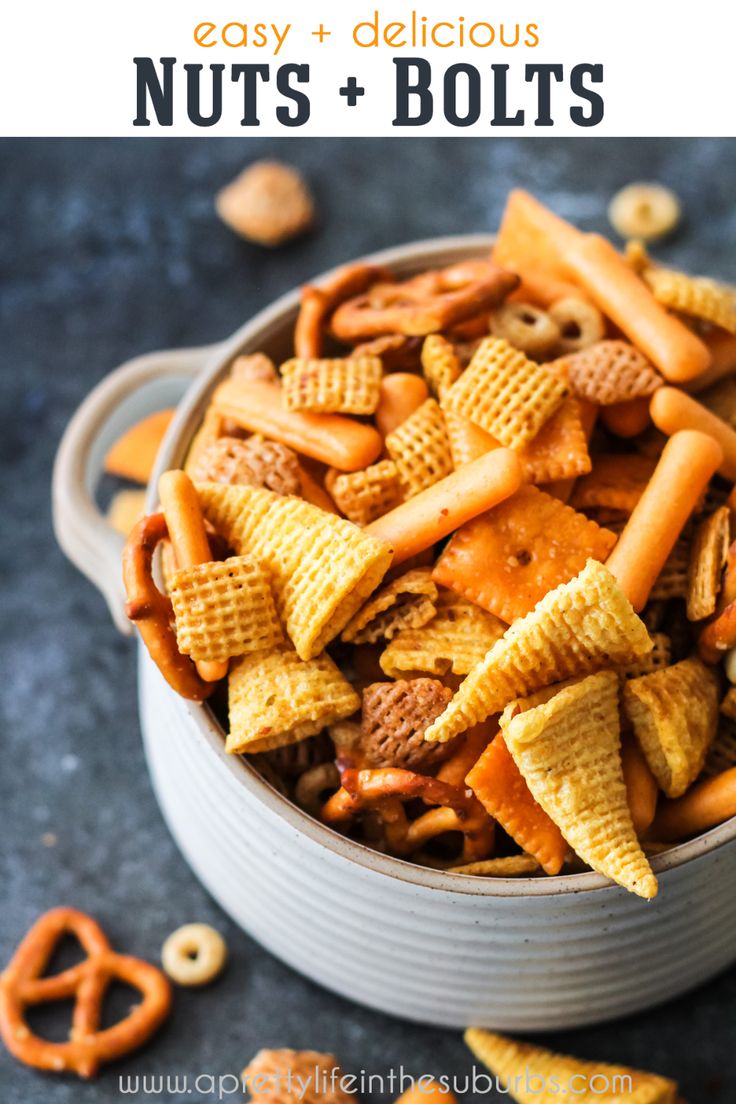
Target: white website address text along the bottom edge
322, 1084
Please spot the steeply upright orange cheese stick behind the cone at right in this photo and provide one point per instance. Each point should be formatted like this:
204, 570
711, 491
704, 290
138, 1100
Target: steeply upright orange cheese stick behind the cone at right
688, 462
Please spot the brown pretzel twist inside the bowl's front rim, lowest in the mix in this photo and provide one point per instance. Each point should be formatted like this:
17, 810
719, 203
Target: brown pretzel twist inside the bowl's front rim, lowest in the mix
387, 788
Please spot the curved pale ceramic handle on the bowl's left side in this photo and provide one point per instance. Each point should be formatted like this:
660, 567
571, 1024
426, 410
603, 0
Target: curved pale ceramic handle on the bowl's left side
130, 394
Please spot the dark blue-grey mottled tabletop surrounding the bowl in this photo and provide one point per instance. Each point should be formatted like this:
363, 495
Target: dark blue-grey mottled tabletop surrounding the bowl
112, 249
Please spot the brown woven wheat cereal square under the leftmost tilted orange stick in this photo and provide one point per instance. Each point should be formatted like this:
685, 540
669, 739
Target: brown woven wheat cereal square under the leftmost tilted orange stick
255, 463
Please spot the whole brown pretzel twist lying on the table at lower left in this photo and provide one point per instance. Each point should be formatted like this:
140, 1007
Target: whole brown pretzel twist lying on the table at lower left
23, 986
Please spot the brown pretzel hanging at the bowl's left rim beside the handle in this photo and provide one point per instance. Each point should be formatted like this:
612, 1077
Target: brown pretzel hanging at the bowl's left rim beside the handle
153, 612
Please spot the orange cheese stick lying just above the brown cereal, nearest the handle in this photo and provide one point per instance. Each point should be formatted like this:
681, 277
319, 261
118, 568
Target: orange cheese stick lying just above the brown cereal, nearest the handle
332, 439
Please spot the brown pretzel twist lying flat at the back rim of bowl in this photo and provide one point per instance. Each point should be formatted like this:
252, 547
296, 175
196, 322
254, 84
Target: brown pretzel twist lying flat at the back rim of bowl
428, 304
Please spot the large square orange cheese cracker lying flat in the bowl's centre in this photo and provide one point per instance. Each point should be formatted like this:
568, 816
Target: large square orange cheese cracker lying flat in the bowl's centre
509, 558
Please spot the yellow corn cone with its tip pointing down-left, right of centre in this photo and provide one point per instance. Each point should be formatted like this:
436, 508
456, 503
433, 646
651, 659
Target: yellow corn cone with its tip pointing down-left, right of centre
578, 629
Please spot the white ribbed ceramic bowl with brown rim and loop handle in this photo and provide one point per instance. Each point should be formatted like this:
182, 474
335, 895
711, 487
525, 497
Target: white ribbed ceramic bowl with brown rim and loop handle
522, 954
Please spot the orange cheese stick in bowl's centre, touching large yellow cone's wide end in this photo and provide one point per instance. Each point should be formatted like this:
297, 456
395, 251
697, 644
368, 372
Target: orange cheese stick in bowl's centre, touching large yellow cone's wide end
423, 521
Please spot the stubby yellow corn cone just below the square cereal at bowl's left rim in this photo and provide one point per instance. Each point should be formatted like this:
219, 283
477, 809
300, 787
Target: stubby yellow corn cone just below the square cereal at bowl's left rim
278, 699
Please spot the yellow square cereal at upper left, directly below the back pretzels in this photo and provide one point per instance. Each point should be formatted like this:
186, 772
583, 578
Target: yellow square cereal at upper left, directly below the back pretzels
350, 386
